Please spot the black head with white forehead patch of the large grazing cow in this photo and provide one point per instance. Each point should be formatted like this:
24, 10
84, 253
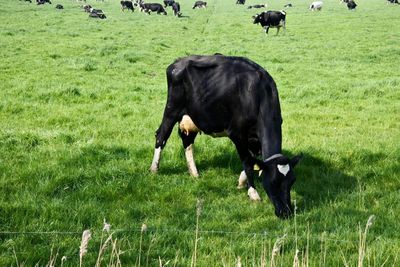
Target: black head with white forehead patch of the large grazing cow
278, 178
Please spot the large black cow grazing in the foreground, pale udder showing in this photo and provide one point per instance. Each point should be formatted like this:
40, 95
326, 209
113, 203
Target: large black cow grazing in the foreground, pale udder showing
233, 97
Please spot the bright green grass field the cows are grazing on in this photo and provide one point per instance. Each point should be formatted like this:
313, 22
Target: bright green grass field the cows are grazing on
80, 100
